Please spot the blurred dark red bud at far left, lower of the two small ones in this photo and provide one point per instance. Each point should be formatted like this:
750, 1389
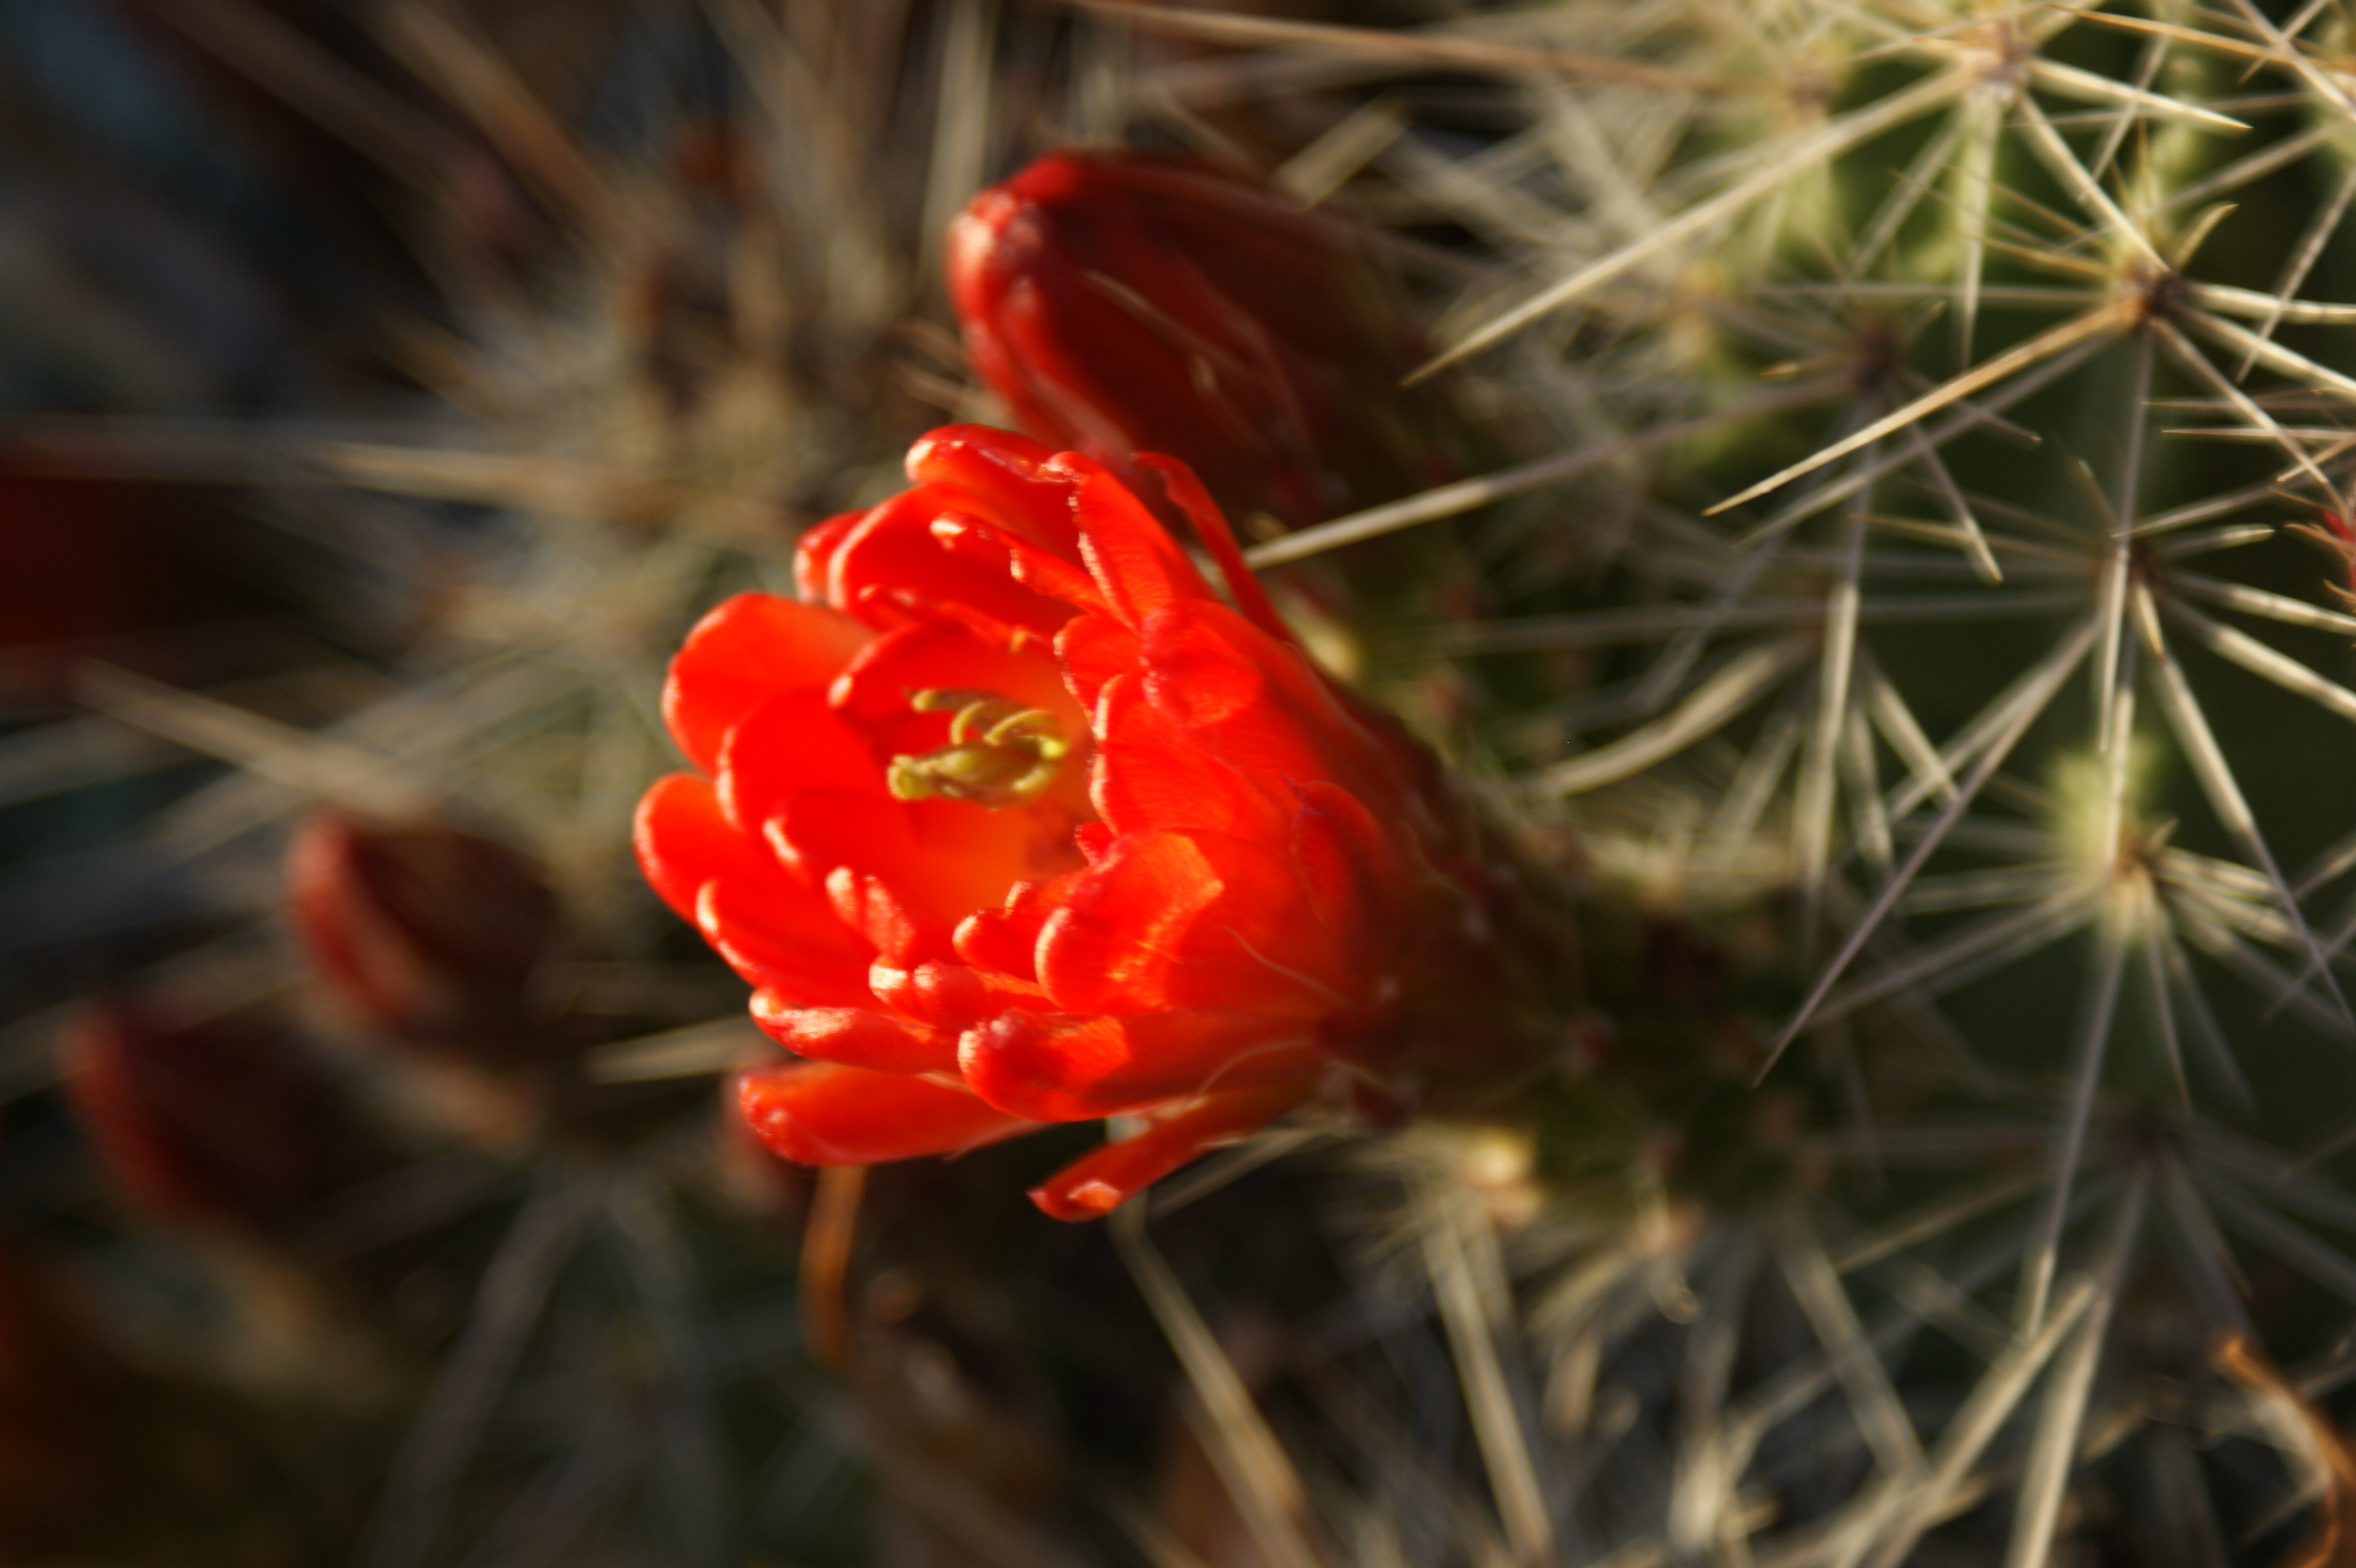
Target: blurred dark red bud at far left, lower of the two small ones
220, 1122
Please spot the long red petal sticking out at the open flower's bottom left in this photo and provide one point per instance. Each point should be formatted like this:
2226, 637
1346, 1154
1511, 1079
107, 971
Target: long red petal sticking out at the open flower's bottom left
828, 1115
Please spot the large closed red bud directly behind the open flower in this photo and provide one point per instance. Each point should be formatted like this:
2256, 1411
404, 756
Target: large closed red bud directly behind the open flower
1127, 303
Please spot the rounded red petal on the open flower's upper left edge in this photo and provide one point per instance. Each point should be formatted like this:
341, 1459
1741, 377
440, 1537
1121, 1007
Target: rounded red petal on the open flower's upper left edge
753, 649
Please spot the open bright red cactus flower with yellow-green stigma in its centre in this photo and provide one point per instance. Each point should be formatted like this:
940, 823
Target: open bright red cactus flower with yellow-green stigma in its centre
1012, 820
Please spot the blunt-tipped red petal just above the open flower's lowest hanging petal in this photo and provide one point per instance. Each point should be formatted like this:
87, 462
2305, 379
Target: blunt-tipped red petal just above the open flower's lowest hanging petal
1076, 1068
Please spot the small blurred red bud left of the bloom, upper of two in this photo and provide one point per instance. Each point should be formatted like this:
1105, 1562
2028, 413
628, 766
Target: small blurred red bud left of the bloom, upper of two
425, 931
